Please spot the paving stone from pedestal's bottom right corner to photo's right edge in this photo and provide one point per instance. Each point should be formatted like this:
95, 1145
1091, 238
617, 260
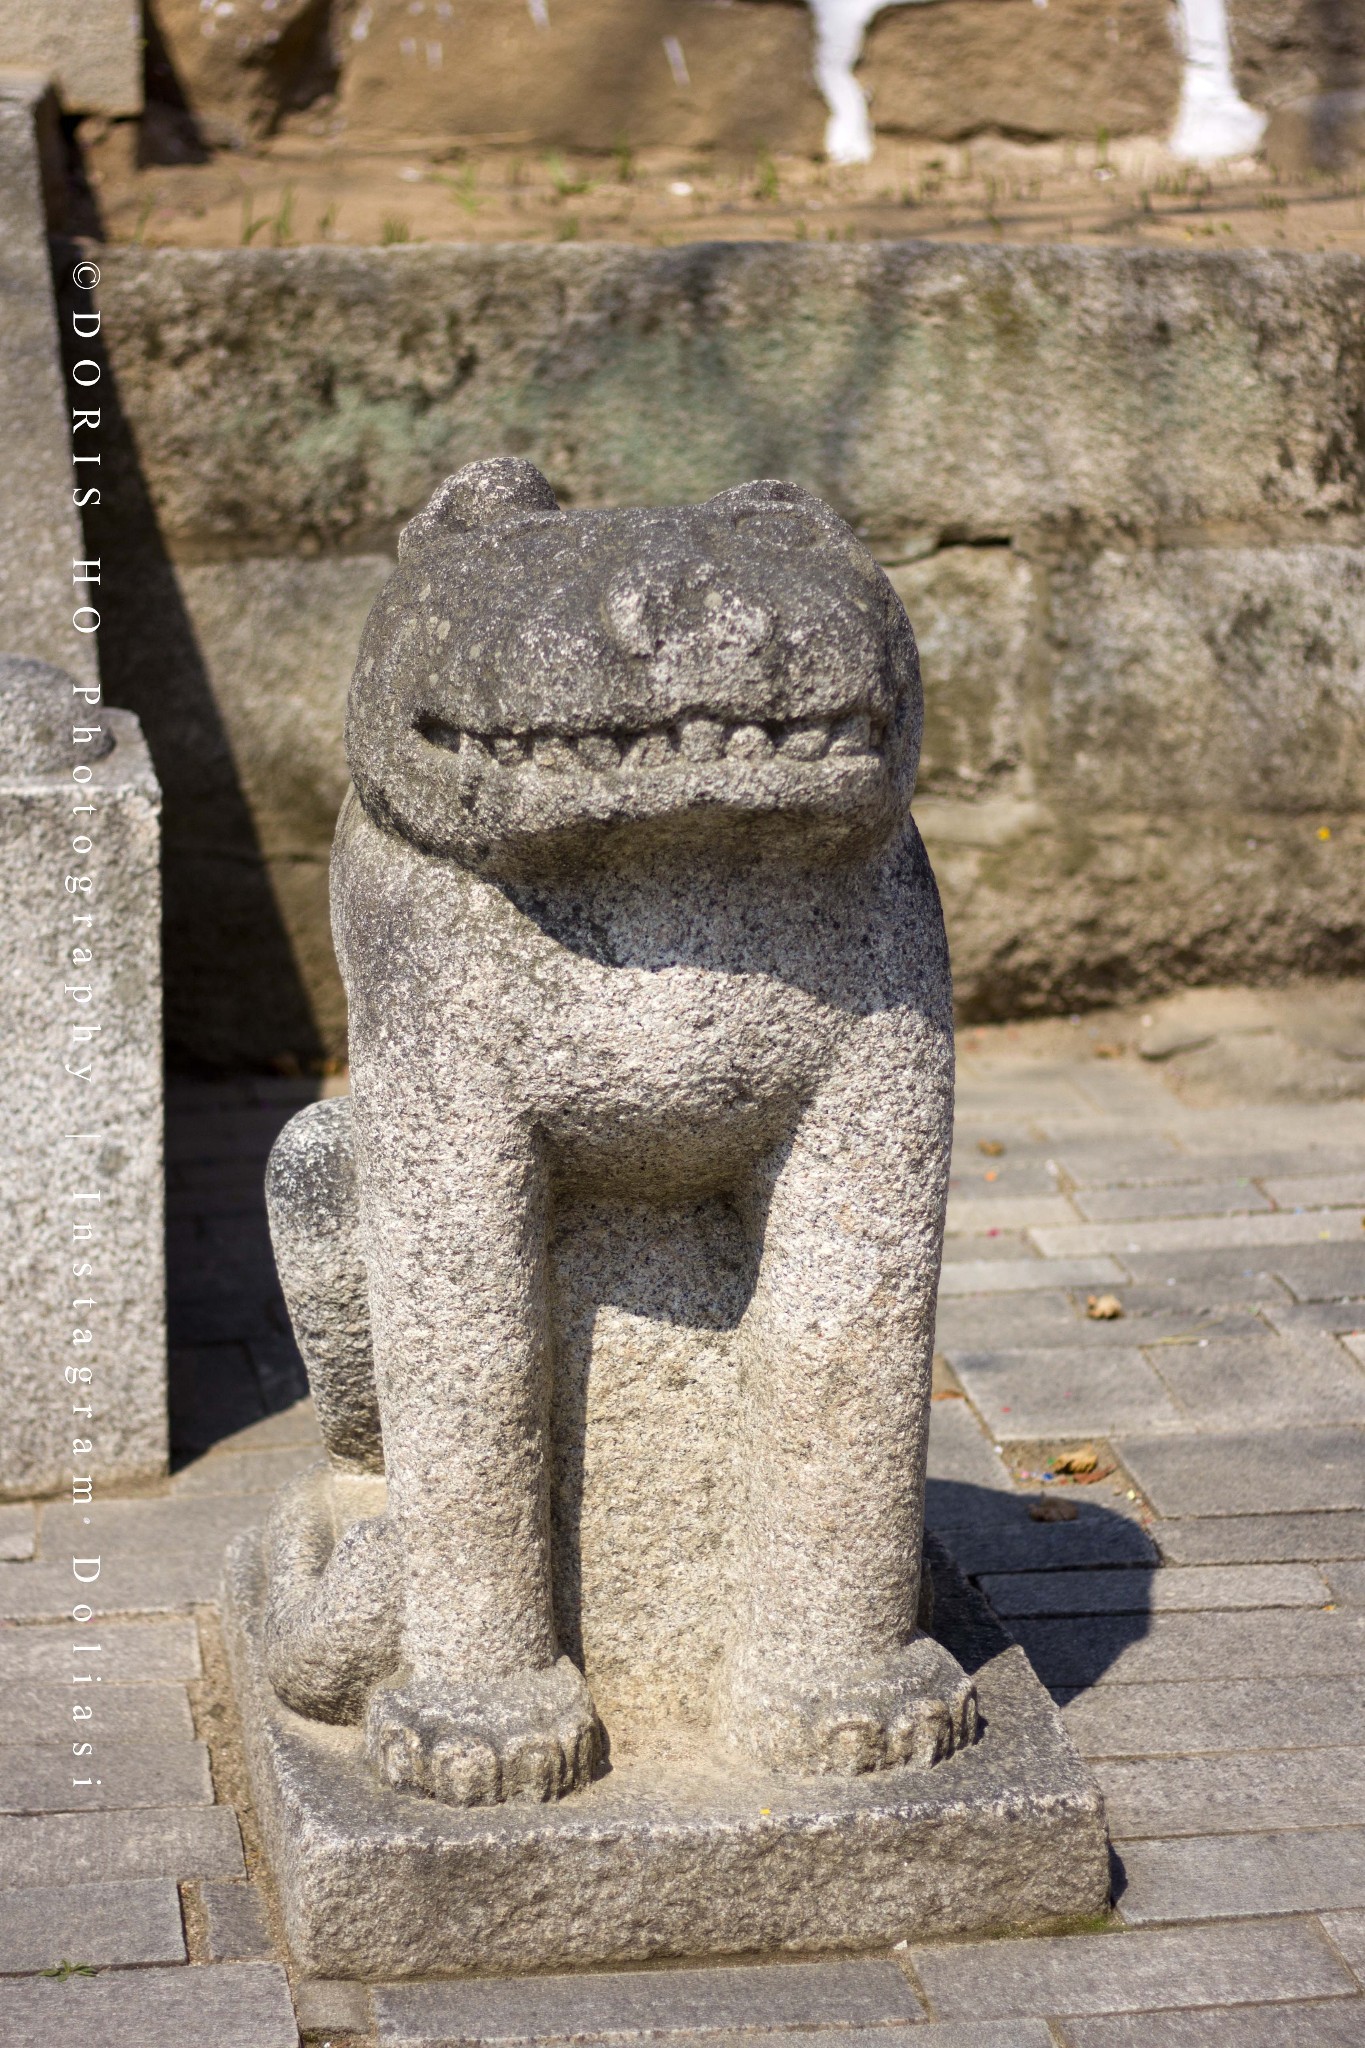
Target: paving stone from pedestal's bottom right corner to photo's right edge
1225, 1877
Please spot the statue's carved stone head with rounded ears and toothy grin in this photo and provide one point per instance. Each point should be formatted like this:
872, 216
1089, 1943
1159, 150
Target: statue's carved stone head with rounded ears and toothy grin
541, 685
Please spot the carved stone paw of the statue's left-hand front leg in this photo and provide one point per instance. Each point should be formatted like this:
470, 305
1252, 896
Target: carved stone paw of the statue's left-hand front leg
531, 1738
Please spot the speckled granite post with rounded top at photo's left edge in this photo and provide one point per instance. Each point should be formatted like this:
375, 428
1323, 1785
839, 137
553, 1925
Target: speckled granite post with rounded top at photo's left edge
62, 1134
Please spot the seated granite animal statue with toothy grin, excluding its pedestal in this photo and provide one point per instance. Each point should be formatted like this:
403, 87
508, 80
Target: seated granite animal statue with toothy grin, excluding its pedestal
627, 900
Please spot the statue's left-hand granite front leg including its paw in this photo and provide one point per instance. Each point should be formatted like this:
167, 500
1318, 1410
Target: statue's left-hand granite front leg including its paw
453, 1226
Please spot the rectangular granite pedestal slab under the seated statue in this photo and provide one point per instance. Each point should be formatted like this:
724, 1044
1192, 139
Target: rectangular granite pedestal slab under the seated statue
672, 1854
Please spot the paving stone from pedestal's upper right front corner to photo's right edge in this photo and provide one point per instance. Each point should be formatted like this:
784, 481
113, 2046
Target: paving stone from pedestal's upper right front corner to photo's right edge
1231, 1795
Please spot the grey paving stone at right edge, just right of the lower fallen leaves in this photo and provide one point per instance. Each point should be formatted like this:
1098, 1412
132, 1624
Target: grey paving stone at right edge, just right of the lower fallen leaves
1284, 1471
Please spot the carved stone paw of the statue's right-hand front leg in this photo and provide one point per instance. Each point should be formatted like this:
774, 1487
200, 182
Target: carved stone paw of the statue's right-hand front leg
906, 1711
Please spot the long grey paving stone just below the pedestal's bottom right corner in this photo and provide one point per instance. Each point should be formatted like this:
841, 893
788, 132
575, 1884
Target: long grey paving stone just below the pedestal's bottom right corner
1112, 1973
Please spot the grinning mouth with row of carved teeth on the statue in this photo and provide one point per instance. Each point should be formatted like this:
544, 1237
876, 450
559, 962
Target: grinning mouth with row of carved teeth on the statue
682, 742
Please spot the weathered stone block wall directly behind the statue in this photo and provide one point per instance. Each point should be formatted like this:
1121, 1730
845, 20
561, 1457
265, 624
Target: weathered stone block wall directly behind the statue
1120, 493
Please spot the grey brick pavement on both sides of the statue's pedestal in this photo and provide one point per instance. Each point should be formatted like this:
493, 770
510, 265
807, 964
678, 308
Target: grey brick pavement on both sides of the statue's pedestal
1213, 1664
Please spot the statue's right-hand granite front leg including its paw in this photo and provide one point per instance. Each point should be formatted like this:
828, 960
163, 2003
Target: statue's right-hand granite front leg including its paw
830, 1672
